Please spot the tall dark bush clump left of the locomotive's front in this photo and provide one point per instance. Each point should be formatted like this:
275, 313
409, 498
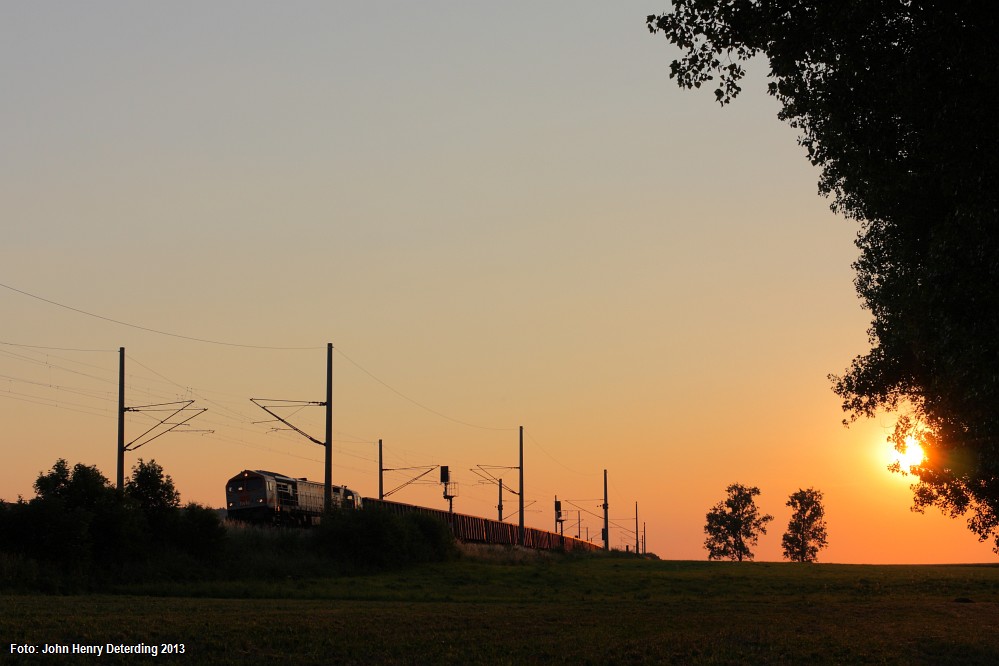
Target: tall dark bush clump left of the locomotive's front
78, 531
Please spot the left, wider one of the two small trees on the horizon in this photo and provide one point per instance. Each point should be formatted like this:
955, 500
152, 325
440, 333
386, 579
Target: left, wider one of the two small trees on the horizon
735, 525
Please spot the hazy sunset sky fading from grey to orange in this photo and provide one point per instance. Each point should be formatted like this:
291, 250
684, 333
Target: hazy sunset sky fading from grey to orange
500, 214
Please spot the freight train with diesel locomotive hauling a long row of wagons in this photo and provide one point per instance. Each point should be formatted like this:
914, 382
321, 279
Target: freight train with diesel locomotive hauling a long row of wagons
266, 497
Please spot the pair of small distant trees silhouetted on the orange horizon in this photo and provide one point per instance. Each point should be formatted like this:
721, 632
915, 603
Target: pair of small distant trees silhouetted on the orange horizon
735, 524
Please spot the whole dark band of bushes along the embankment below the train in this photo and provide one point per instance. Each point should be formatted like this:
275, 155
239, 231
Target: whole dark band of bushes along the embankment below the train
81, 534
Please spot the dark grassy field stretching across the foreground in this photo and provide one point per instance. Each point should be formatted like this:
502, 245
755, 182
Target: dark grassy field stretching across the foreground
542, 610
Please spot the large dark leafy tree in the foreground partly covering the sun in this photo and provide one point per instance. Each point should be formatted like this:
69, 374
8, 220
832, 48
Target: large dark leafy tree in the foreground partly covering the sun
894, 104
